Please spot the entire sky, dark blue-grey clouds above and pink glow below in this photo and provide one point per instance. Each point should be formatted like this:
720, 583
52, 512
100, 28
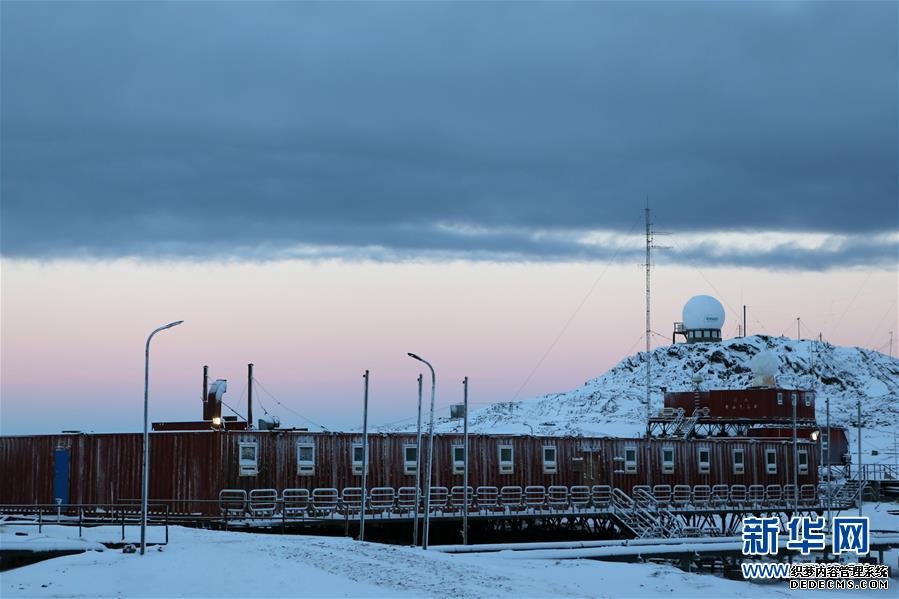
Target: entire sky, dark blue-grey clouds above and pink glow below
319, 188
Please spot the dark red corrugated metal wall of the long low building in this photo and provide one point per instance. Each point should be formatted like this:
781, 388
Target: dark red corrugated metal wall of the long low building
105, 468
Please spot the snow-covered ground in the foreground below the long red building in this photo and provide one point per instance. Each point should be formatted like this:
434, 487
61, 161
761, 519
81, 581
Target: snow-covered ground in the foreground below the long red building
201, 563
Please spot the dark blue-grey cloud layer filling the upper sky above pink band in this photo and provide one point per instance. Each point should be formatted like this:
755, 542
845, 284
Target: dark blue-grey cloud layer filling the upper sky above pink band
382, 130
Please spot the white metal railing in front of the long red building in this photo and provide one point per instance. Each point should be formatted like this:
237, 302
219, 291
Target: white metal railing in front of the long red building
650, 509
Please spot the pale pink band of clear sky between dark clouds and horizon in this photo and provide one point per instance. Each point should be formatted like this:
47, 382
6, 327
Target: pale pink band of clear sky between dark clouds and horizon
73, 332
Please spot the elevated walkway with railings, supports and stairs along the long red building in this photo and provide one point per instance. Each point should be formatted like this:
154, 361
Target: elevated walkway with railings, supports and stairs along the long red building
647, 512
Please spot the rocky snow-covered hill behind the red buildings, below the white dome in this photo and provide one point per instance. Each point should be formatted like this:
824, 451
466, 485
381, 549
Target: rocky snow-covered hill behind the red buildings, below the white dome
614, 403
